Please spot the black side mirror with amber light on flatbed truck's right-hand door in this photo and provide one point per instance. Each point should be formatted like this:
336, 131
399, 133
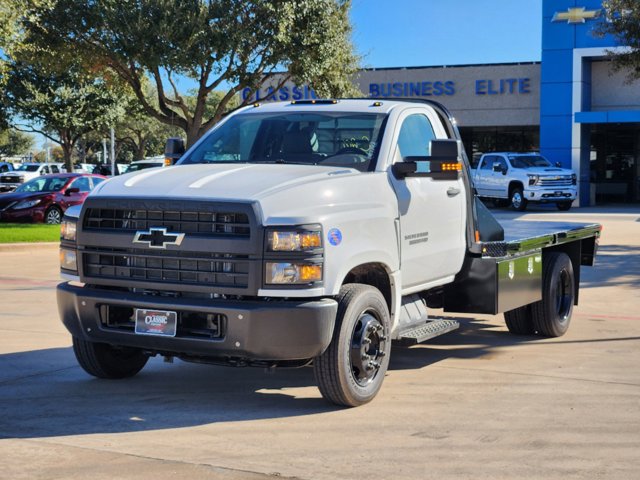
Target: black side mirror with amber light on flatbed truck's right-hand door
443, 163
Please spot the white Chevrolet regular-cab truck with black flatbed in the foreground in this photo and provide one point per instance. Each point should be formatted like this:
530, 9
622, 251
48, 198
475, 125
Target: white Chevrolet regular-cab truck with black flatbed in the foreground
311, 232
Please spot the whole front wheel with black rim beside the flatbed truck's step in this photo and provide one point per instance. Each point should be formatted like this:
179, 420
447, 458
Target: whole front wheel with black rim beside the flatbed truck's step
351, 370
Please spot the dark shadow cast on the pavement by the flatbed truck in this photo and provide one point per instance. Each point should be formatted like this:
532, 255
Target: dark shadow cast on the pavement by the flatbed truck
44, 393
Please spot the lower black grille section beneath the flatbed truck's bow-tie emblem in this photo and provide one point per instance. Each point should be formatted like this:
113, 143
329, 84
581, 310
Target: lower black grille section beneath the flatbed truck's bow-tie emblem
203, 269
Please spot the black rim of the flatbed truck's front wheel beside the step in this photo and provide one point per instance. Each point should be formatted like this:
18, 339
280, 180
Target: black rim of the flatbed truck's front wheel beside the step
368, 344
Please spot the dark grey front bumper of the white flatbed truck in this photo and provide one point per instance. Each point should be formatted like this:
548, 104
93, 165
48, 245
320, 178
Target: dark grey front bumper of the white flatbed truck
255, 330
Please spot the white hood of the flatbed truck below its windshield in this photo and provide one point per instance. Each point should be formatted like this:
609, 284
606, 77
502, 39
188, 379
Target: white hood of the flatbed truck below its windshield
232, 182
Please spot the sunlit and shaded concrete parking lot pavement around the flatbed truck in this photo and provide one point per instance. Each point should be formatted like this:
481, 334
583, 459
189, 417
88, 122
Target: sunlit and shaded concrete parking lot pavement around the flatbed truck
477, 403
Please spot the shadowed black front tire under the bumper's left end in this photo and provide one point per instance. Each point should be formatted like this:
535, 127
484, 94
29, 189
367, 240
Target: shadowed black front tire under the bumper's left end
104, 361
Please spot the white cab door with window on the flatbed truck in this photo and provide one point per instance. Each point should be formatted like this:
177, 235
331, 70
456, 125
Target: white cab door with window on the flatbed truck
431, 212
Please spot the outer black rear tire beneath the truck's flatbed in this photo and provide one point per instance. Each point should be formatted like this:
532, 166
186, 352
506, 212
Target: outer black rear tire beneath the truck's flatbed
552, 314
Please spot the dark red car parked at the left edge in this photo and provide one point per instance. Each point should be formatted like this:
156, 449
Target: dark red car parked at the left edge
45, 198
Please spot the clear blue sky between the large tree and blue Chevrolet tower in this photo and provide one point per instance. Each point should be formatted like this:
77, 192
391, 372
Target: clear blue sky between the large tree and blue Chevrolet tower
397, 33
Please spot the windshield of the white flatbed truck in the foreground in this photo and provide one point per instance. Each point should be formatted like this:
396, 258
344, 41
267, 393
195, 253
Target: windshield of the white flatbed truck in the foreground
329, 139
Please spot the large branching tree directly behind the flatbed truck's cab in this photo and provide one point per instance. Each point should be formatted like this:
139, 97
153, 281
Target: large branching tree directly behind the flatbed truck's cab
219, 44
